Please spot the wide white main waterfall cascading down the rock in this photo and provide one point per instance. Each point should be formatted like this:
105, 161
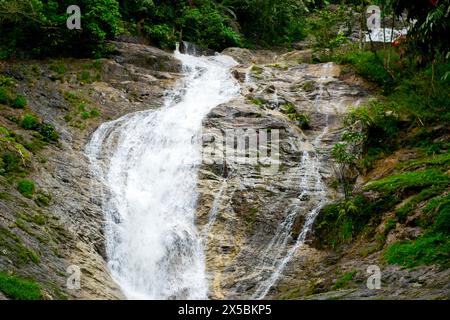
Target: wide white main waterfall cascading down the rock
148, 163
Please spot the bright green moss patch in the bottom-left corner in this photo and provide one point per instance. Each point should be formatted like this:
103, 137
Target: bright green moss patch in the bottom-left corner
18, 288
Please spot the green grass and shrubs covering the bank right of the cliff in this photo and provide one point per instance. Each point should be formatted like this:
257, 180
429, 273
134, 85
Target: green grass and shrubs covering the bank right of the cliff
412, 114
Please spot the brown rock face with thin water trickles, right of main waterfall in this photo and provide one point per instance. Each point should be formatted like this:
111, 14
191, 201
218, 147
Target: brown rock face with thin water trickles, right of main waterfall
256, 217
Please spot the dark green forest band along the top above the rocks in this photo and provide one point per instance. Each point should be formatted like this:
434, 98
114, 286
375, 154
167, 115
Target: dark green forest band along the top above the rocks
40, 25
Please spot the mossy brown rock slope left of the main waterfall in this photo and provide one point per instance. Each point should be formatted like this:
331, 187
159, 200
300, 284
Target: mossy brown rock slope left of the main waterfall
74, 96
